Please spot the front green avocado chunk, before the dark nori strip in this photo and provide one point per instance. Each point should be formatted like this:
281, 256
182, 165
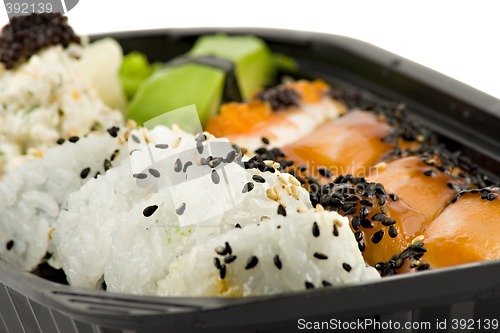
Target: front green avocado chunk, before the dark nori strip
176, 87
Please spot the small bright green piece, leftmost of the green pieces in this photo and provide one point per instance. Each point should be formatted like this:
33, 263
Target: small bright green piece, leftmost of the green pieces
135, 69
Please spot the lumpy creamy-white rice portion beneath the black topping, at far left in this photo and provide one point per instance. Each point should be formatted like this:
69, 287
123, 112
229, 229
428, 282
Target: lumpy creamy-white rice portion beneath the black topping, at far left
46, 99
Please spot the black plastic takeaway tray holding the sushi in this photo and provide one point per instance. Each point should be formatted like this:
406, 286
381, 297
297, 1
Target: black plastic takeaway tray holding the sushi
446, 300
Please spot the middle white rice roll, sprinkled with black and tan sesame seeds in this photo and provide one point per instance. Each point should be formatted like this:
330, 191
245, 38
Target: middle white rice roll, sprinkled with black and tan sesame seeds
126, 230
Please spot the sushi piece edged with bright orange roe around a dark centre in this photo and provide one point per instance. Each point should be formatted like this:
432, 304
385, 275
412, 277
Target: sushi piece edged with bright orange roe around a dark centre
297, 107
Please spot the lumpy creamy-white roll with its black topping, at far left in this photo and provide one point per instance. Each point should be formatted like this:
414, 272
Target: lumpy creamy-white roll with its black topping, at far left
43, 95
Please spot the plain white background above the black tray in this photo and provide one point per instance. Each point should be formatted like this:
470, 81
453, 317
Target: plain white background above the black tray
458, 38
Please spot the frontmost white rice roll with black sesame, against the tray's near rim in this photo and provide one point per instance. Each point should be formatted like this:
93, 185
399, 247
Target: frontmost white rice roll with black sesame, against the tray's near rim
294, 253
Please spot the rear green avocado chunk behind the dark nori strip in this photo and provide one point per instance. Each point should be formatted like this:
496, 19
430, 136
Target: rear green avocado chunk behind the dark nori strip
251, 56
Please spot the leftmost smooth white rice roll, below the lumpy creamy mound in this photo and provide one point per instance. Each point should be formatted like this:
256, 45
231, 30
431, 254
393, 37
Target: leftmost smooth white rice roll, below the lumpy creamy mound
32, 195
